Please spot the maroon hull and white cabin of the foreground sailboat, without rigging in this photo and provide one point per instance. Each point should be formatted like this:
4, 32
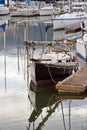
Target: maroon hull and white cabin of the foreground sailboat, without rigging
52, 67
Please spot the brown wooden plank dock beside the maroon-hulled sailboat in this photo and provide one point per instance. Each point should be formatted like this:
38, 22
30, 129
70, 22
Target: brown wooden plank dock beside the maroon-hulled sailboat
76, 83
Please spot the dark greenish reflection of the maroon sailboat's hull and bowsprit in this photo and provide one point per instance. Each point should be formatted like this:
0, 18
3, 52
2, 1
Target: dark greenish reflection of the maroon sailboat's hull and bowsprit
43, 102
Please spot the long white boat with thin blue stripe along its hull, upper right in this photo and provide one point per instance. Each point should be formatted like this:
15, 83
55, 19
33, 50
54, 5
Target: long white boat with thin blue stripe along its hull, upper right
68, 19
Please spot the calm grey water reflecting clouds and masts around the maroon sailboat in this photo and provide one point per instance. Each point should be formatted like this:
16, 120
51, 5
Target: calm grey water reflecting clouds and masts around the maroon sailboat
22, 108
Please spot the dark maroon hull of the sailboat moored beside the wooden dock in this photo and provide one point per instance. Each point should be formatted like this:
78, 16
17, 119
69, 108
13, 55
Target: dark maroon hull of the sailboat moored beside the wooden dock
43, 74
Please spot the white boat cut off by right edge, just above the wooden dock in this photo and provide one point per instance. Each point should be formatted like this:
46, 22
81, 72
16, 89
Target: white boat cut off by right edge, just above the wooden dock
81, 47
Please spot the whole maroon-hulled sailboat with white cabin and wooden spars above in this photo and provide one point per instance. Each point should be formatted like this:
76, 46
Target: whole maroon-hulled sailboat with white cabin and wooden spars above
48, 63
